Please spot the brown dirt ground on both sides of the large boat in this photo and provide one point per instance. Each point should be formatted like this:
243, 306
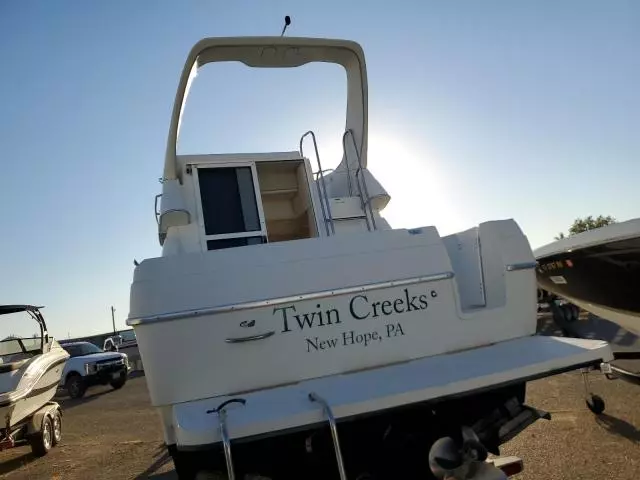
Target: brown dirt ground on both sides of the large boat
116, 435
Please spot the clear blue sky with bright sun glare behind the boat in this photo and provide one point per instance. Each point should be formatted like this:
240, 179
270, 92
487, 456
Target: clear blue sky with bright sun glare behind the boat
478, 110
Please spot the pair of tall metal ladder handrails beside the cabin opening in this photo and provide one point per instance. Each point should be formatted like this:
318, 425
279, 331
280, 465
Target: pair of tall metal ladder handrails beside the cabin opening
360, 180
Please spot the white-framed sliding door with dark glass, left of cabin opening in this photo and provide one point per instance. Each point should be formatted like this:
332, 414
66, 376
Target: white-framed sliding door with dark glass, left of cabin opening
231, 216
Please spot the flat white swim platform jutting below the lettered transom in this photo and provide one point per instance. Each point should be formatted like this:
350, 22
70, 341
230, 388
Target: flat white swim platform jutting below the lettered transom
368, 391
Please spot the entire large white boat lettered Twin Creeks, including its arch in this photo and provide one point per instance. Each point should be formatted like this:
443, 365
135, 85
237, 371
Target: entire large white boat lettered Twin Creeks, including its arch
288, 323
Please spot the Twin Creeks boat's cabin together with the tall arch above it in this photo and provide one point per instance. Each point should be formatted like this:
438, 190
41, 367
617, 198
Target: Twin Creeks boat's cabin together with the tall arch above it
219, 201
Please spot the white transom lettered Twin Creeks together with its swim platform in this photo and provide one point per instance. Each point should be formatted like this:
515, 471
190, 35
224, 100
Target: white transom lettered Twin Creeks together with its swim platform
387, 338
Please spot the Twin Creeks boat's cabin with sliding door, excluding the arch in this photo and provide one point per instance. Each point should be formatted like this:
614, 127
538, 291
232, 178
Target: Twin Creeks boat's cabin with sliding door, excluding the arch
236, 200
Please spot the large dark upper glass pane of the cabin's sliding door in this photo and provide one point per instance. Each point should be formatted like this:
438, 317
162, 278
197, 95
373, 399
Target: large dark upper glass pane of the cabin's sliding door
228, 200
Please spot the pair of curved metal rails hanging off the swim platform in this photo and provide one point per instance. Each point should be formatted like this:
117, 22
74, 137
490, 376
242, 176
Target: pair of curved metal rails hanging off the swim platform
312, 396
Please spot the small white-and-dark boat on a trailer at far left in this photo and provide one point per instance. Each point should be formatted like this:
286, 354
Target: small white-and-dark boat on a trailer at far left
30, 370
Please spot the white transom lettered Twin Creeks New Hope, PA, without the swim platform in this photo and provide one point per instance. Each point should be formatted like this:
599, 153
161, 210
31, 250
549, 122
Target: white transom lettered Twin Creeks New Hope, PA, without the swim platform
269, 315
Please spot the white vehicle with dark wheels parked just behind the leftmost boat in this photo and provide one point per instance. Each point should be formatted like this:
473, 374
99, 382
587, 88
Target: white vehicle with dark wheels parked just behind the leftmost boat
89, 365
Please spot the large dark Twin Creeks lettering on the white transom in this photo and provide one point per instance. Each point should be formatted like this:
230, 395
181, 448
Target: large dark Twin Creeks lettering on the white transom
360, 308
